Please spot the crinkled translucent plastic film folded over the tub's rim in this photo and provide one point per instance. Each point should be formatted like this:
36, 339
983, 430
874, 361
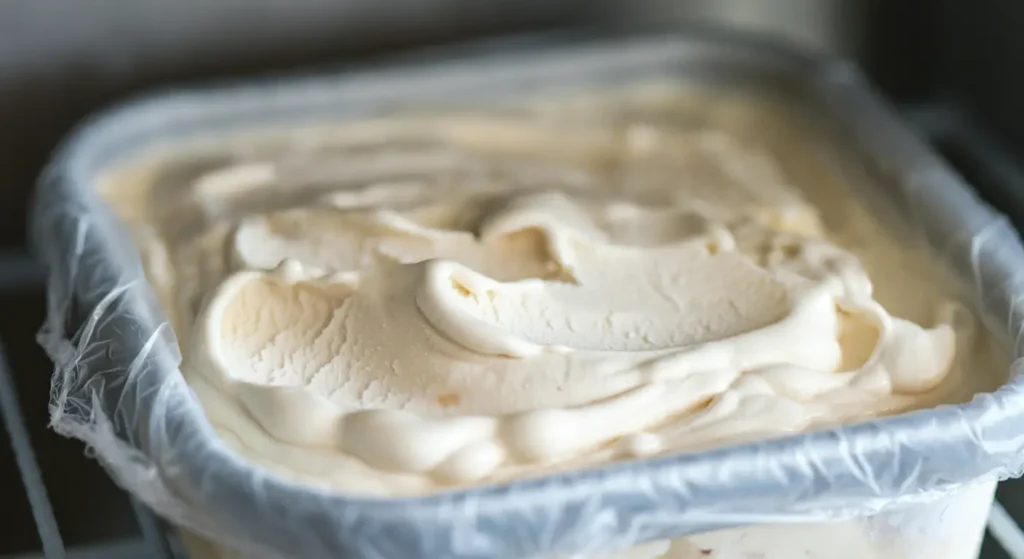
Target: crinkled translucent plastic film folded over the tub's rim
117, 385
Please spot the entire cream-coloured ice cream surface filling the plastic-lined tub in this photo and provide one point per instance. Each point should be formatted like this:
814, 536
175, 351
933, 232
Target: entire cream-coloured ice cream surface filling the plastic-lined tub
410, 305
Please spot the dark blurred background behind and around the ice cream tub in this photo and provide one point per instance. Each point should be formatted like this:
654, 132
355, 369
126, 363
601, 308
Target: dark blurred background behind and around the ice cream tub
951, 67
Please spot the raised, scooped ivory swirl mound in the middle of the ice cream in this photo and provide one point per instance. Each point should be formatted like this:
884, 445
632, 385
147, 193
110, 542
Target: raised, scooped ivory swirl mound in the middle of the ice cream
470, 335
